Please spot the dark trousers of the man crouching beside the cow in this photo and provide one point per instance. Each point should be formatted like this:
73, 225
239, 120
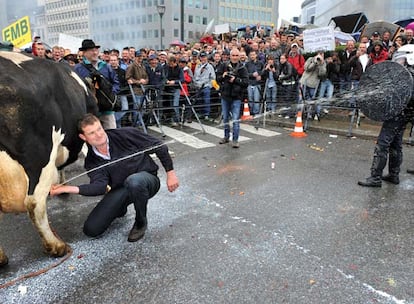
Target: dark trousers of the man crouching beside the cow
138, 188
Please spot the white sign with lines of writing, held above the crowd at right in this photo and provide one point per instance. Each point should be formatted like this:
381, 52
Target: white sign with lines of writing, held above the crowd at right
322, 38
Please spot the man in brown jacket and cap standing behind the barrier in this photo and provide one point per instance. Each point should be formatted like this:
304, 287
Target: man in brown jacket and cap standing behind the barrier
136, 75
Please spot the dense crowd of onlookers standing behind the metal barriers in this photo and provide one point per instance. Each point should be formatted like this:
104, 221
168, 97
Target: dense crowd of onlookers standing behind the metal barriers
279, 76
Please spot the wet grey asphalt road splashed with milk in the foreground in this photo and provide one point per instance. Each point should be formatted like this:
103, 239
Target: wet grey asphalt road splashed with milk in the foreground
236, 231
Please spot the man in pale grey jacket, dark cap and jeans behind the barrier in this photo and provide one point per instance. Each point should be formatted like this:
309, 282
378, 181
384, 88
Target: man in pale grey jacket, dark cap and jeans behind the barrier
203, 75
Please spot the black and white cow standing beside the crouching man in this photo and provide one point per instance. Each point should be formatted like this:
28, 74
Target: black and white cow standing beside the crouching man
40, 104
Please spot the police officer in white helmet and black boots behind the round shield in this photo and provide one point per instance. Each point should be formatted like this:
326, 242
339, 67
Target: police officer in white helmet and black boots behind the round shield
390, 138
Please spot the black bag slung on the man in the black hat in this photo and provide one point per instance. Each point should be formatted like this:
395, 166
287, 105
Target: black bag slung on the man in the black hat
103, 87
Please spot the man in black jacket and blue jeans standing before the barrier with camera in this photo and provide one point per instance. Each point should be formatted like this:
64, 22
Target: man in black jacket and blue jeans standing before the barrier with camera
233, 79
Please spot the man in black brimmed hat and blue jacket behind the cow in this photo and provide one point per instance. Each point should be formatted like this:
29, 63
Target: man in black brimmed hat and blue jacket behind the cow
89, 65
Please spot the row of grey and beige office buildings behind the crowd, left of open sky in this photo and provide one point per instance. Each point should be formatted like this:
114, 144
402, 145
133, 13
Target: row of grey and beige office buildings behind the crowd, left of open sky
119, 23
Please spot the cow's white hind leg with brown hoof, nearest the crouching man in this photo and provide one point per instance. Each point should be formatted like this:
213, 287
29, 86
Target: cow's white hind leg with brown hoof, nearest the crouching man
36, 203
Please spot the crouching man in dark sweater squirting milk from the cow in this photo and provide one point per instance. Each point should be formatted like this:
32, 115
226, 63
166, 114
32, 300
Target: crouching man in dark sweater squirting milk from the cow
131, 181
